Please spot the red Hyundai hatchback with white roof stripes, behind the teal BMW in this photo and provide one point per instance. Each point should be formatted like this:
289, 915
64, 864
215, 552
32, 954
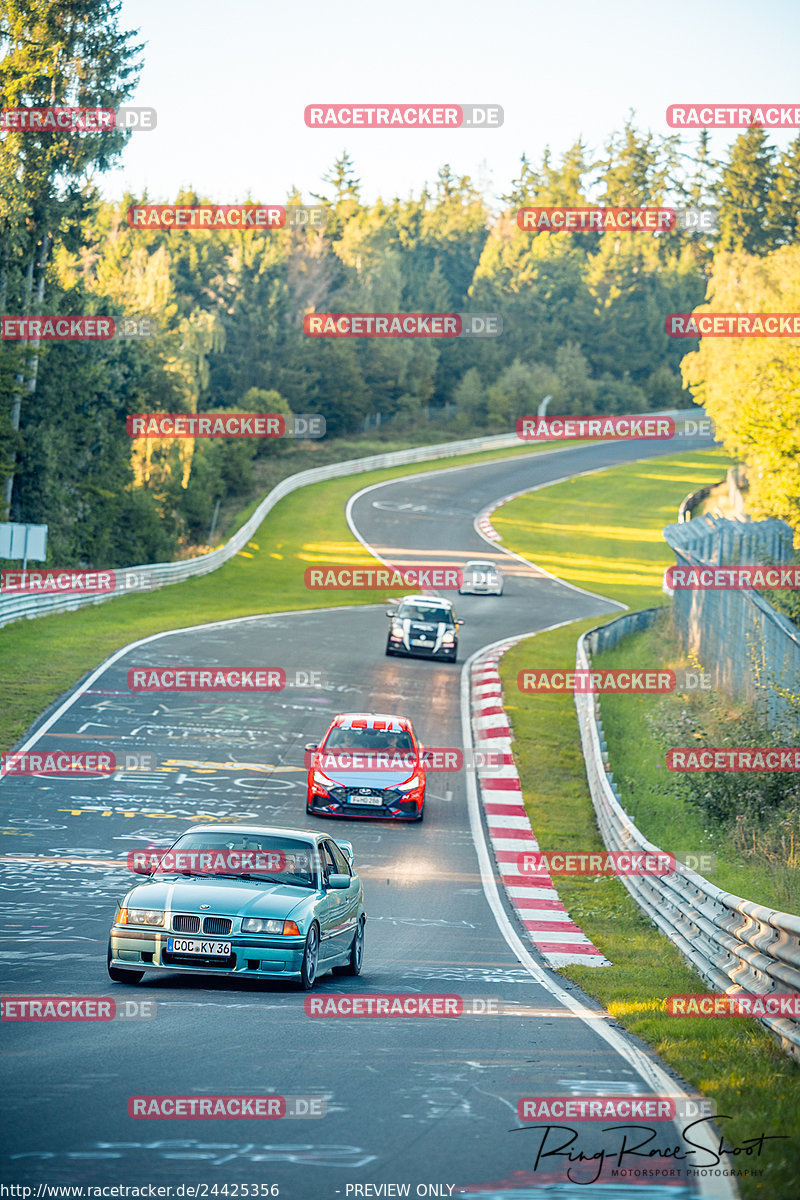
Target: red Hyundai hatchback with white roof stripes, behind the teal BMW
370, 766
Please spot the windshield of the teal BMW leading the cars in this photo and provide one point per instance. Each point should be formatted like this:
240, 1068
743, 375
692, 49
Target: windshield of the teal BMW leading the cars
242, 855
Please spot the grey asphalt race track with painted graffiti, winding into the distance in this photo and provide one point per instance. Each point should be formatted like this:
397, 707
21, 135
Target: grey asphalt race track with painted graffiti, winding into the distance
423, 1102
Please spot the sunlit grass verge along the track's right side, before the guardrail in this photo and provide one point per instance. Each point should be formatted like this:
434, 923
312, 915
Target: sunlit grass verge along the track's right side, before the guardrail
604, 532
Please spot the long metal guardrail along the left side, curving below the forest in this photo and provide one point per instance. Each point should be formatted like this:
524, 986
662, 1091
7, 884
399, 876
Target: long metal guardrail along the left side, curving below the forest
157, 575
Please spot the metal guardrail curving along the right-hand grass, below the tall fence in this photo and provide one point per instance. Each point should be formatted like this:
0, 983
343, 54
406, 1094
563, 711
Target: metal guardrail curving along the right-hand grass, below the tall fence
736, 945
